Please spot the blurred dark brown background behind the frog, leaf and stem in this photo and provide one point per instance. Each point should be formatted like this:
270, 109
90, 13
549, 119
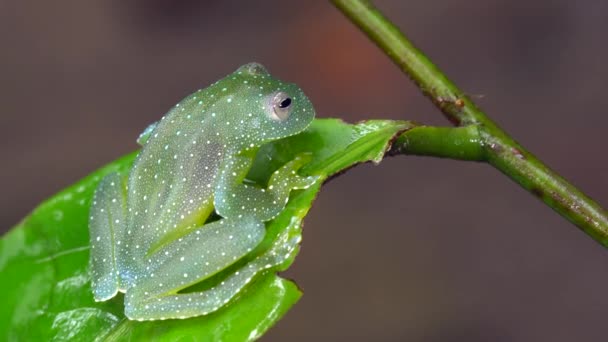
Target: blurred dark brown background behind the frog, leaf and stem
416, 249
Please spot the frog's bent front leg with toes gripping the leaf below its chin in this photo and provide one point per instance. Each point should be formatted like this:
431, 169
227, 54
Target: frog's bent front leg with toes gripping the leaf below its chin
235, 199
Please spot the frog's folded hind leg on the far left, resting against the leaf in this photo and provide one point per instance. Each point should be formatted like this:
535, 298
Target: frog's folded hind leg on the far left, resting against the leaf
106, 219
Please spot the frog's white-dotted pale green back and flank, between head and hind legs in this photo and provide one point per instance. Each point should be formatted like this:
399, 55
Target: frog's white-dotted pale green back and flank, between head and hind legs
170, 187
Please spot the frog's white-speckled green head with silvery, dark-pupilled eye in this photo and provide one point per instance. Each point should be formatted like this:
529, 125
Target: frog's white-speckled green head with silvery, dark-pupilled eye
281, 109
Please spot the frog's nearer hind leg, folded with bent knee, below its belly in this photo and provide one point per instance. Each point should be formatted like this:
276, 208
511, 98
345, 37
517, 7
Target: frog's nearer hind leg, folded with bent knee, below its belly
189, 260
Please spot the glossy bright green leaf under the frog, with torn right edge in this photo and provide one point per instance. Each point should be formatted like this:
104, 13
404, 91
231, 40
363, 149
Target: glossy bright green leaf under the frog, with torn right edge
44, 259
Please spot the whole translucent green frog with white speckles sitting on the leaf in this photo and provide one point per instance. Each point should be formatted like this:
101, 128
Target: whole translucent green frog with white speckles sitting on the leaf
148, 233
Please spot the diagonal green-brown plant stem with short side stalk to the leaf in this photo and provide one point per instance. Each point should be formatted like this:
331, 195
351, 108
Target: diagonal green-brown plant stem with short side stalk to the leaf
499, 149
